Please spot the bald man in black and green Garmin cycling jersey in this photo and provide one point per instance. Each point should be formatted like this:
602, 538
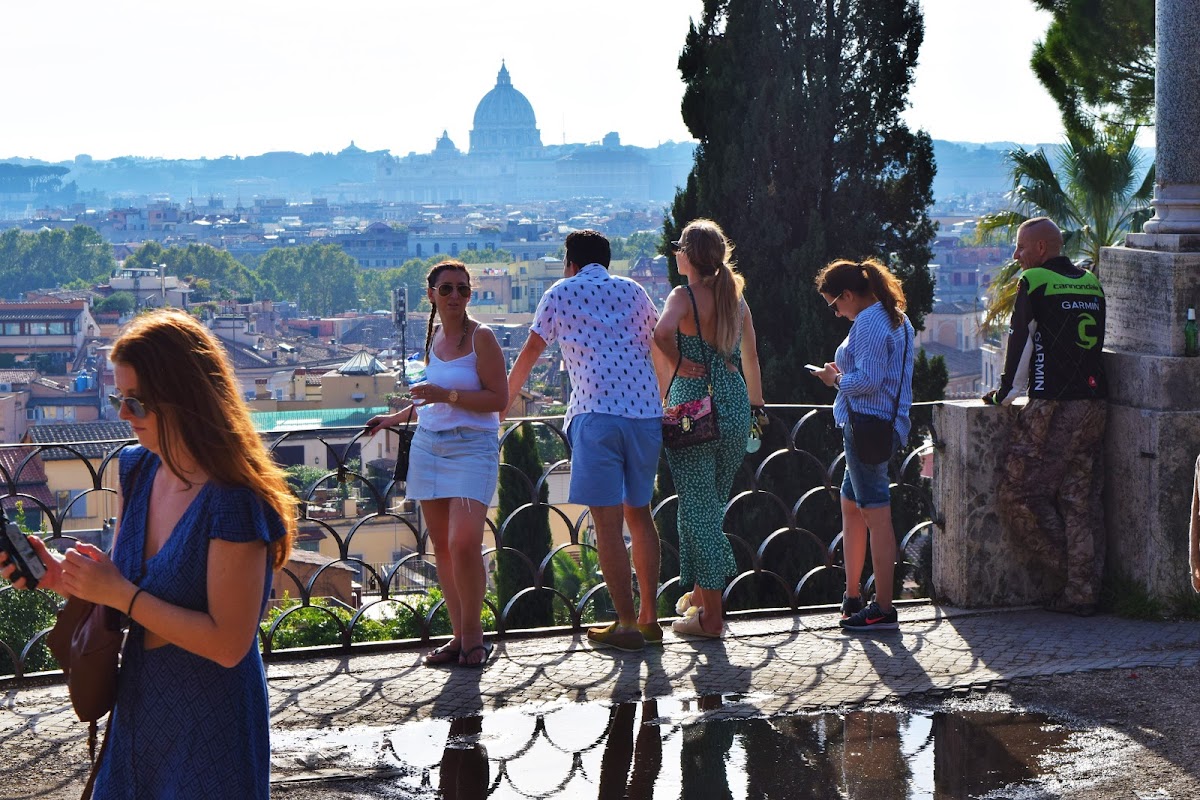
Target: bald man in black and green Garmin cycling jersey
1053, 474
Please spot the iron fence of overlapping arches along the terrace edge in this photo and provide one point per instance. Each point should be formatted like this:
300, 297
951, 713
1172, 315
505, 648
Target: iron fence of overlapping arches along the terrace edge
783, 521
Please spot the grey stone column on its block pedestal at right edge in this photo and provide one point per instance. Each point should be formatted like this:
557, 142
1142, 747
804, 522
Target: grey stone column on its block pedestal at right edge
1154, 434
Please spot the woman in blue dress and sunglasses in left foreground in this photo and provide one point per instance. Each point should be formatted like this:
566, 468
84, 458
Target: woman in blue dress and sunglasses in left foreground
207, 518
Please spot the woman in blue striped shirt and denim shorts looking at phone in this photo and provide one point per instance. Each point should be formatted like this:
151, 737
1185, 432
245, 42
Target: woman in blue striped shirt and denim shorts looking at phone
873, 375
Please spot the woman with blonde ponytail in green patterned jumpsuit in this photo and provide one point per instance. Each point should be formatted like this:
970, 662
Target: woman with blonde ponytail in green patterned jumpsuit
722, 353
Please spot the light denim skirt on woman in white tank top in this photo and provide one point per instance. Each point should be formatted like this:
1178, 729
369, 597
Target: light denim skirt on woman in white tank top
455, 464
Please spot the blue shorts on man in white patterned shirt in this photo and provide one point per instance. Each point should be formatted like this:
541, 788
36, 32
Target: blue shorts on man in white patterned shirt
614, 460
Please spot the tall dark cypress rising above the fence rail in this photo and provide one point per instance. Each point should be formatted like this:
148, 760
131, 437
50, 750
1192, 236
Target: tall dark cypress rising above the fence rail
803, 159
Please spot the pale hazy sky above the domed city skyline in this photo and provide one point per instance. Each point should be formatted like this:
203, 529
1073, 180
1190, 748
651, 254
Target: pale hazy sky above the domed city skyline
245, 77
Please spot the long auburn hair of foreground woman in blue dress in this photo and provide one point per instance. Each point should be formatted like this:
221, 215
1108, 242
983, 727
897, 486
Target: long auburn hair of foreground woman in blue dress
187, 380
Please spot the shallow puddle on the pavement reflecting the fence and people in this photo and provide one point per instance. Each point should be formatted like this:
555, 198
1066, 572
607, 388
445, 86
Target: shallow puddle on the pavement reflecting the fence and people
704, 748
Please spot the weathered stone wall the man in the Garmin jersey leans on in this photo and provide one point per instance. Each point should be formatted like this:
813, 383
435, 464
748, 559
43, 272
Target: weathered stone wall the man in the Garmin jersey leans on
1149, 466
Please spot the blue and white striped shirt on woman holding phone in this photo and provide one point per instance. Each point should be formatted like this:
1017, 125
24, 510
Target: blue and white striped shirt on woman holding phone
872, 374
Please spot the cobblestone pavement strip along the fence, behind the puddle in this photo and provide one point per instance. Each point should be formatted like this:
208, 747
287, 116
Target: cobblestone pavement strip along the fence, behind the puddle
787, 664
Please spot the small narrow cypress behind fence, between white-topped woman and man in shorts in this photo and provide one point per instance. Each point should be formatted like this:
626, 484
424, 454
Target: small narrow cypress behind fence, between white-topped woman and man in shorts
527, 532
